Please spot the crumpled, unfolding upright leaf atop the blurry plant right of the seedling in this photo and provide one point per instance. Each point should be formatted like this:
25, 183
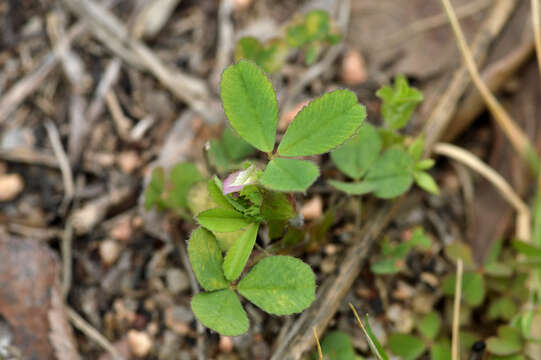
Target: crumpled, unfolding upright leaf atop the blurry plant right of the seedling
398, 103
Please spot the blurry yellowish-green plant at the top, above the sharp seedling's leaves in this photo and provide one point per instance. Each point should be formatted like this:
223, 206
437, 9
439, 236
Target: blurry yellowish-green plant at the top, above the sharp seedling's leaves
310, 34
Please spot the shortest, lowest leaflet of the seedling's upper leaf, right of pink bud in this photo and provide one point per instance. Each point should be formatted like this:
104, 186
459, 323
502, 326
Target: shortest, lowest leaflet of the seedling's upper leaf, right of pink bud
289, 175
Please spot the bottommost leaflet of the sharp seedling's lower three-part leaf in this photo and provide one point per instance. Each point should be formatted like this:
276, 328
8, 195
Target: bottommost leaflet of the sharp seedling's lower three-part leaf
221, 311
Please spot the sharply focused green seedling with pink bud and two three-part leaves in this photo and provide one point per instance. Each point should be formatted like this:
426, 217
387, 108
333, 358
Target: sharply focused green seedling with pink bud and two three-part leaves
250, 198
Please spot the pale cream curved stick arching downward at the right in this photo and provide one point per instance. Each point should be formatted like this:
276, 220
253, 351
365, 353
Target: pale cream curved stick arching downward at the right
507, 192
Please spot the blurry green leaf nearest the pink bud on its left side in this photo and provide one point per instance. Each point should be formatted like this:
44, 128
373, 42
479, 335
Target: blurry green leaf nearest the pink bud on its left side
182, 177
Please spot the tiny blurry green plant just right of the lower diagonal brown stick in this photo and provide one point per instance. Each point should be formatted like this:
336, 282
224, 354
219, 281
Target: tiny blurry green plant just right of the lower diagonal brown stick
394, 256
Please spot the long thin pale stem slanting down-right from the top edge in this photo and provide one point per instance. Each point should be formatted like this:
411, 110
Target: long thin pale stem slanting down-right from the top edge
517, 137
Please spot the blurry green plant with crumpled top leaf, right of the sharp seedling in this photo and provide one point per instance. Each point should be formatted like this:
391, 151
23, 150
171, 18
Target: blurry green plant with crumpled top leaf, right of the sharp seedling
378, 160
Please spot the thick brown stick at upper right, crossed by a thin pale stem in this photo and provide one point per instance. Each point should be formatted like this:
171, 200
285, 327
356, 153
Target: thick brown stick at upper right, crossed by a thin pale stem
443, 112
